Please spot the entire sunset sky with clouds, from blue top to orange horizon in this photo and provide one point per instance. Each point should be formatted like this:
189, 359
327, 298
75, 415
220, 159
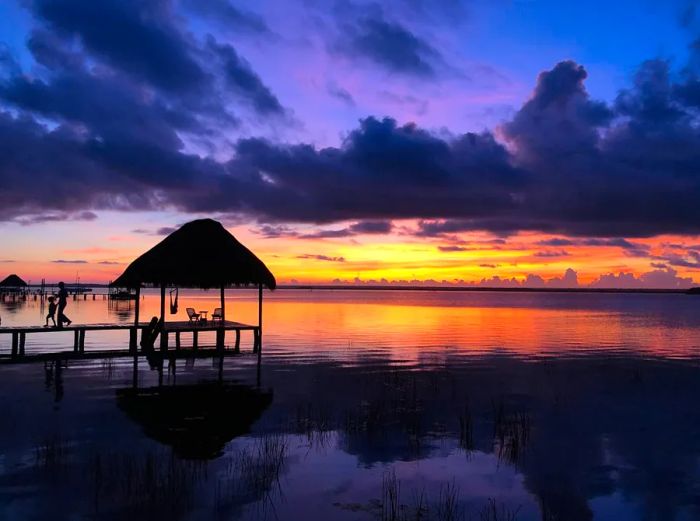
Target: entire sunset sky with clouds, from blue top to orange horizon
498, 143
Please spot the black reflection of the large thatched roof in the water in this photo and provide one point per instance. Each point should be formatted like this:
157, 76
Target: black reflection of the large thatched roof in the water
196, 420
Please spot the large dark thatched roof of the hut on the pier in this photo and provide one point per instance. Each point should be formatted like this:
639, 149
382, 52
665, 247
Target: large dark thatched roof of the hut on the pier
201, 254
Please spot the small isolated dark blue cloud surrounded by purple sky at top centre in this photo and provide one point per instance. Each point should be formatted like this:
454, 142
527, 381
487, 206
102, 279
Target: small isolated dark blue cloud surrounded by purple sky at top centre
388, 44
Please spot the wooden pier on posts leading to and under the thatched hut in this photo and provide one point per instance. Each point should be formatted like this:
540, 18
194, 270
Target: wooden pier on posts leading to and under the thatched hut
19, 335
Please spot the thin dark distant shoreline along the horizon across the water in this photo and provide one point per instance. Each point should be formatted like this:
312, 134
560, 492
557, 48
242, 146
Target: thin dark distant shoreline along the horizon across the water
385, 287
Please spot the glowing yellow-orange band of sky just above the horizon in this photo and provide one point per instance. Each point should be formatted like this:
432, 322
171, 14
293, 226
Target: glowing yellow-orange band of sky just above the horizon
99, 250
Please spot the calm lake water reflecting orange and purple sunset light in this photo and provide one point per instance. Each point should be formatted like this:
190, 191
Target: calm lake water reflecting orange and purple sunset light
368, 405
